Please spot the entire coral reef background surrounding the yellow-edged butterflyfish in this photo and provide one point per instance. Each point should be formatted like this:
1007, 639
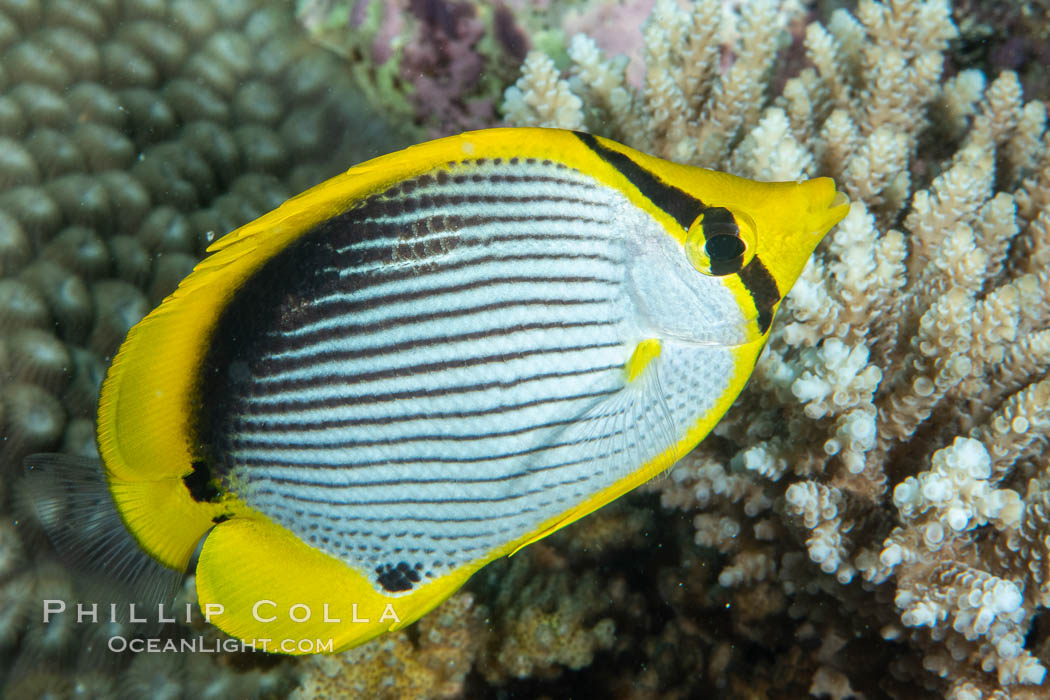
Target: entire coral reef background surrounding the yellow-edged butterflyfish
872, 519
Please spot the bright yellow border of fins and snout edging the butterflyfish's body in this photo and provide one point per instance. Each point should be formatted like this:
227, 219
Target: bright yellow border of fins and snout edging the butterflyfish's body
149, 396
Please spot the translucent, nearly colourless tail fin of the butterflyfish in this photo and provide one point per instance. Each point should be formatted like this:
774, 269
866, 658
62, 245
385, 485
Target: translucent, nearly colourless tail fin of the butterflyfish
74, 506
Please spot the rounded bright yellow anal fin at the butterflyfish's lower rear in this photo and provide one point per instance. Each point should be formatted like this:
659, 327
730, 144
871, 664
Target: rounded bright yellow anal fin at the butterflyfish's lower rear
258, 581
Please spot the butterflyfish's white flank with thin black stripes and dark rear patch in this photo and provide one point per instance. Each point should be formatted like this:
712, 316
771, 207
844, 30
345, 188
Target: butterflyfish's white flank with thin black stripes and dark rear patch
438, 370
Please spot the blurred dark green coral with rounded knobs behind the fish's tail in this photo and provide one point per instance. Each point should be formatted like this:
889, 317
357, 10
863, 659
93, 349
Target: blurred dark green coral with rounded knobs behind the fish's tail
132, 135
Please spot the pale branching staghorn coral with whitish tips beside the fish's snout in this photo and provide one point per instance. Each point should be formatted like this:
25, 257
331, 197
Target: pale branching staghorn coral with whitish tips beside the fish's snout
893, 435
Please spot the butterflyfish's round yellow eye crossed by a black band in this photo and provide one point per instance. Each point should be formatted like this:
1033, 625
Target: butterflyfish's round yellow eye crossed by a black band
721, 242
